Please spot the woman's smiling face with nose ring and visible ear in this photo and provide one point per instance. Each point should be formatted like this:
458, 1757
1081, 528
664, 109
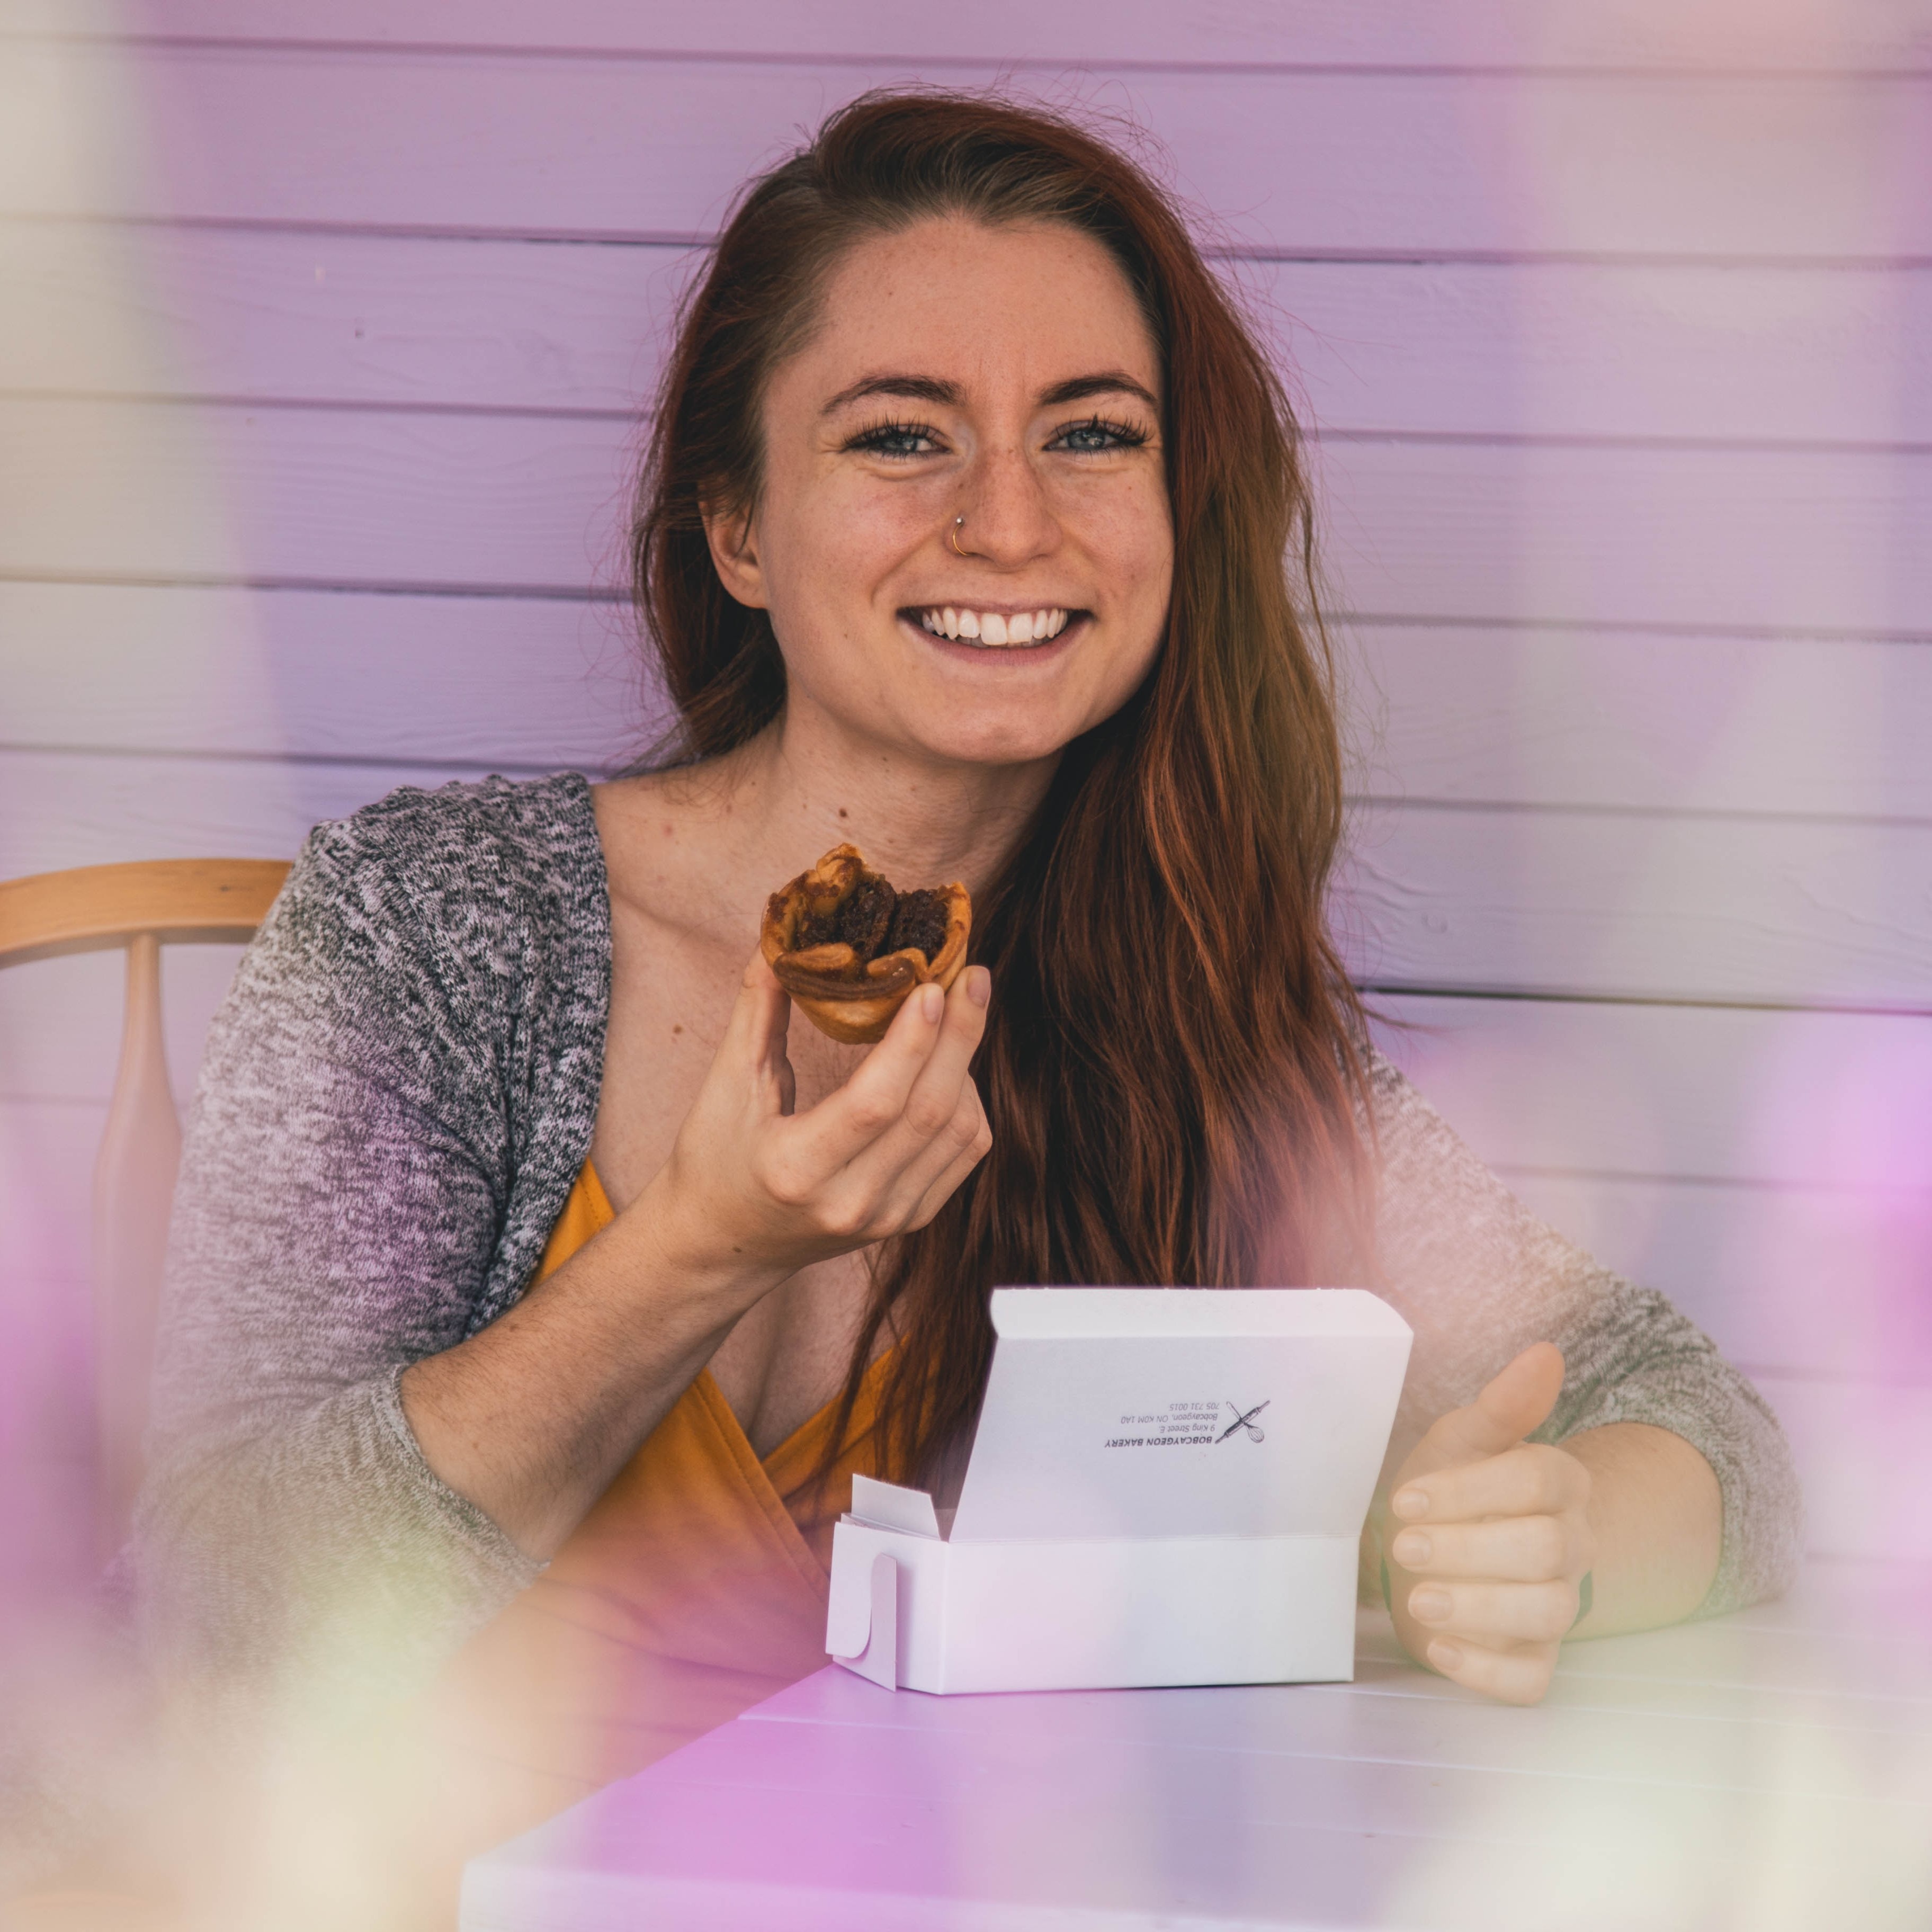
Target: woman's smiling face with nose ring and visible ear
996, 374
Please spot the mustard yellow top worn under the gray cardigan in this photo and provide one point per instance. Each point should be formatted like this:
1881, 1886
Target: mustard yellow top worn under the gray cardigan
695, 1587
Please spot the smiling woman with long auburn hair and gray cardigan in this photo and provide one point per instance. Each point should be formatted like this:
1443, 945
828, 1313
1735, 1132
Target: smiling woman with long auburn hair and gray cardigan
955, 374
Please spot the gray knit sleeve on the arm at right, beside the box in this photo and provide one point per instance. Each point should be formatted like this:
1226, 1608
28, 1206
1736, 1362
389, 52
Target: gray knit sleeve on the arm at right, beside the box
1481, 1278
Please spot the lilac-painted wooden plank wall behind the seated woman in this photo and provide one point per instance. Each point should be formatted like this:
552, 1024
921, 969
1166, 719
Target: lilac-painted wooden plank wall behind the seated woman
320, 378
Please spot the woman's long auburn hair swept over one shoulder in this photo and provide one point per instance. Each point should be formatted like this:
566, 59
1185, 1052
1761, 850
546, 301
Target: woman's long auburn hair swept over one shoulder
1172, 1065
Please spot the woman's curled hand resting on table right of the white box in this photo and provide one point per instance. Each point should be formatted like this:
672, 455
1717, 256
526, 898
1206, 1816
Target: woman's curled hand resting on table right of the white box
1491, 1539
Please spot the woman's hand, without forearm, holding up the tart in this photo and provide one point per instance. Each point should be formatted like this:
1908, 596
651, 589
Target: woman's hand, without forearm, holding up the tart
756, 1189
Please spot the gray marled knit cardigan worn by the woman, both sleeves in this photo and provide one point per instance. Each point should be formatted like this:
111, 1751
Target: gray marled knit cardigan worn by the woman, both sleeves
395, 1102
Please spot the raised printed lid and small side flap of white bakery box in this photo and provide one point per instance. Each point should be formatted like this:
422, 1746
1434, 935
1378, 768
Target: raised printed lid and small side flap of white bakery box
1172, 1413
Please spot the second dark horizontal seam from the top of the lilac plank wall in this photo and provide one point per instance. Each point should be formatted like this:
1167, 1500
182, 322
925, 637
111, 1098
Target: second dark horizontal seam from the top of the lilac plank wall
1417, 256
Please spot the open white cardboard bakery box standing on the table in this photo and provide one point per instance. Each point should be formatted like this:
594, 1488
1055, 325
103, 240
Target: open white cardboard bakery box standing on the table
1166, 1489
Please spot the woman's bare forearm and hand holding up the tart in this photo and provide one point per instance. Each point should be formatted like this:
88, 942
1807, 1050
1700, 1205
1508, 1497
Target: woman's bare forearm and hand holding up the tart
534, 1415
